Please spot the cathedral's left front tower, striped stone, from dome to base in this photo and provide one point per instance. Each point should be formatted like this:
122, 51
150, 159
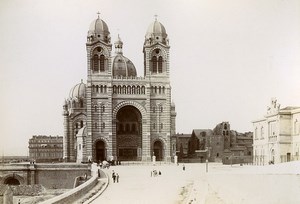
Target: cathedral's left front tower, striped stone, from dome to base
99, 80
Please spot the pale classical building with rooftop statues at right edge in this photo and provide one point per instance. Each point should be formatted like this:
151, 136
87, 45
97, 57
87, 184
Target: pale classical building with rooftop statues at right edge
276, 135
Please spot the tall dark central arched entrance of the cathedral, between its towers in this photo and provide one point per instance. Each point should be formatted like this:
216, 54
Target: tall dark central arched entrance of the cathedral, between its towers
129, 134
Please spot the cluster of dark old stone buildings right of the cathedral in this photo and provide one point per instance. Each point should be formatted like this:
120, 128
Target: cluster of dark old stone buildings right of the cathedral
220, 144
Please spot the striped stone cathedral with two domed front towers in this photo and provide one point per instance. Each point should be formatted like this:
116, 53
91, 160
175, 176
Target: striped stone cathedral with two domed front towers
117, 115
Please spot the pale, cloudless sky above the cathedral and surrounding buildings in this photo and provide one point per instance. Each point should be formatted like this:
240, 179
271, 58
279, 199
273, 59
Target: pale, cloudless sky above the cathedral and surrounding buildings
227, 59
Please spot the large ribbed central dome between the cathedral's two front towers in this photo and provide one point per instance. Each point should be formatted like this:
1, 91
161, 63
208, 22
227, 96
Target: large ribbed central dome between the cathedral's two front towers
122, 66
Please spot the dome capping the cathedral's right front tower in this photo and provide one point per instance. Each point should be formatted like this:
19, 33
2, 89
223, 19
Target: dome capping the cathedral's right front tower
156, 33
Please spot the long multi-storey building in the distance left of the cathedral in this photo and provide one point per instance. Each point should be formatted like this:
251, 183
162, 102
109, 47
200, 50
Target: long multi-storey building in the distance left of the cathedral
46, 148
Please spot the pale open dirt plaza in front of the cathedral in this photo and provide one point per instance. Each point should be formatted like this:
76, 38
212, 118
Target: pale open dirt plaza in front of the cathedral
217, 184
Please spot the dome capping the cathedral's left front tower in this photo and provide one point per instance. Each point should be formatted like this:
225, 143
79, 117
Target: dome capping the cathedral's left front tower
99, 30
